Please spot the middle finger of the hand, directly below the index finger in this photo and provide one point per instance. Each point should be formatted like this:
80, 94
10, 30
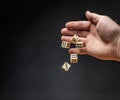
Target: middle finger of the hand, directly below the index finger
66, 31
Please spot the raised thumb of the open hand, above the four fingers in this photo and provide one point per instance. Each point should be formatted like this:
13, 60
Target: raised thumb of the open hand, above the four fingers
93, 17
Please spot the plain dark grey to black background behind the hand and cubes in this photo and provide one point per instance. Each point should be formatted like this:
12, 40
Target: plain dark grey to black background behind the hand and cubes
31, 53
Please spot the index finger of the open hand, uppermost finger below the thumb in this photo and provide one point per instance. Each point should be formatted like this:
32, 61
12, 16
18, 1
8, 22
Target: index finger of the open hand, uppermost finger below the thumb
78, 25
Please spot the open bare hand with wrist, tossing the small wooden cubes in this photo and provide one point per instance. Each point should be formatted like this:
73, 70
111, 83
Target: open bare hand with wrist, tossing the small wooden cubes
100, 33
